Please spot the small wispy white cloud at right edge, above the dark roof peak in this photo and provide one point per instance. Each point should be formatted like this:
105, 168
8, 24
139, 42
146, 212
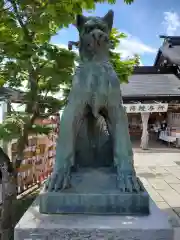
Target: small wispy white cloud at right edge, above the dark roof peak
171, 23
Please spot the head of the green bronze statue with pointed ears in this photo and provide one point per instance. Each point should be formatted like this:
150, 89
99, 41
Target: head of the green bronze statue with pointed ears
94, 35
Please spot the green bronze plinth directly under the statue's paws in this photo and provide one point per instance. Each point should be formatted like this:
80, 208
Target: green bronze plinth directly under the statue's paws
95, 191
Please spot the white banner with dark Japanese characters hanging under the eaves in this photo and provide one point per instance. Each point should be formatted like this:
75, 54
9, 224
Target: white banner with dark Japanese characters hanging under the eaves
139, 108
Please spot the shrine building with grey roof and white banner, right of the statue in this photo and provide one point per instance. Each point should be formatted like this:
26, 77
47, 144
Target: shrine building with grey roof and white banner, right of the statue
157, 89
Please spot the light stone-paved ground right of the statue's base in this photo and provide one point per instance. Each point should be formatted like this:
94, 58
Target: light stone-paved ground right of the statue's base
160, 173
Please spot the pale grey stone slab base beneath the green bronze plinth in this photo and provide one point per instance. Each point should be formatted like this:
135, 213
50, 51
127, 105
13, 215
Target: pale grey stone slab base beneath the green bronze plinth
36, 226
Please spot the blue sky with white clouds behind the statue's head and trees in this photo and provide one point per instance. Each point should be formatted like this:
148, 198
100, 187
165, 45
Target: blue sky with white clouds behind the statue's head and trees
143, 22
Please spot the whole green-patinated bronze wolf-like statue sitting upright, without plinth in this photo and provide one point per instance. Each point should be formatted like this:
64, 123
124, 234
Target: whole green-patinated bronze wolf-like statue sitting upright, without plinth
95, 94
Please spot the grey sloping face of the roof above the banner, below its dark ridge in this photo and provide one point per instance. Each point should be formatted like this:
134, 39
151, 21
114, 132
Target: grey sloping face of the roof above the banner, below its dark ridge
151, 85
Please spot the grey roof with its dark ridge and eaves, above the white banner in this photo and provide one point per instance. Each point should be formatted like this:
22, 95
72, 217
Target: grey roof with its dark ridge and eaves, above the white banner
152, 83
